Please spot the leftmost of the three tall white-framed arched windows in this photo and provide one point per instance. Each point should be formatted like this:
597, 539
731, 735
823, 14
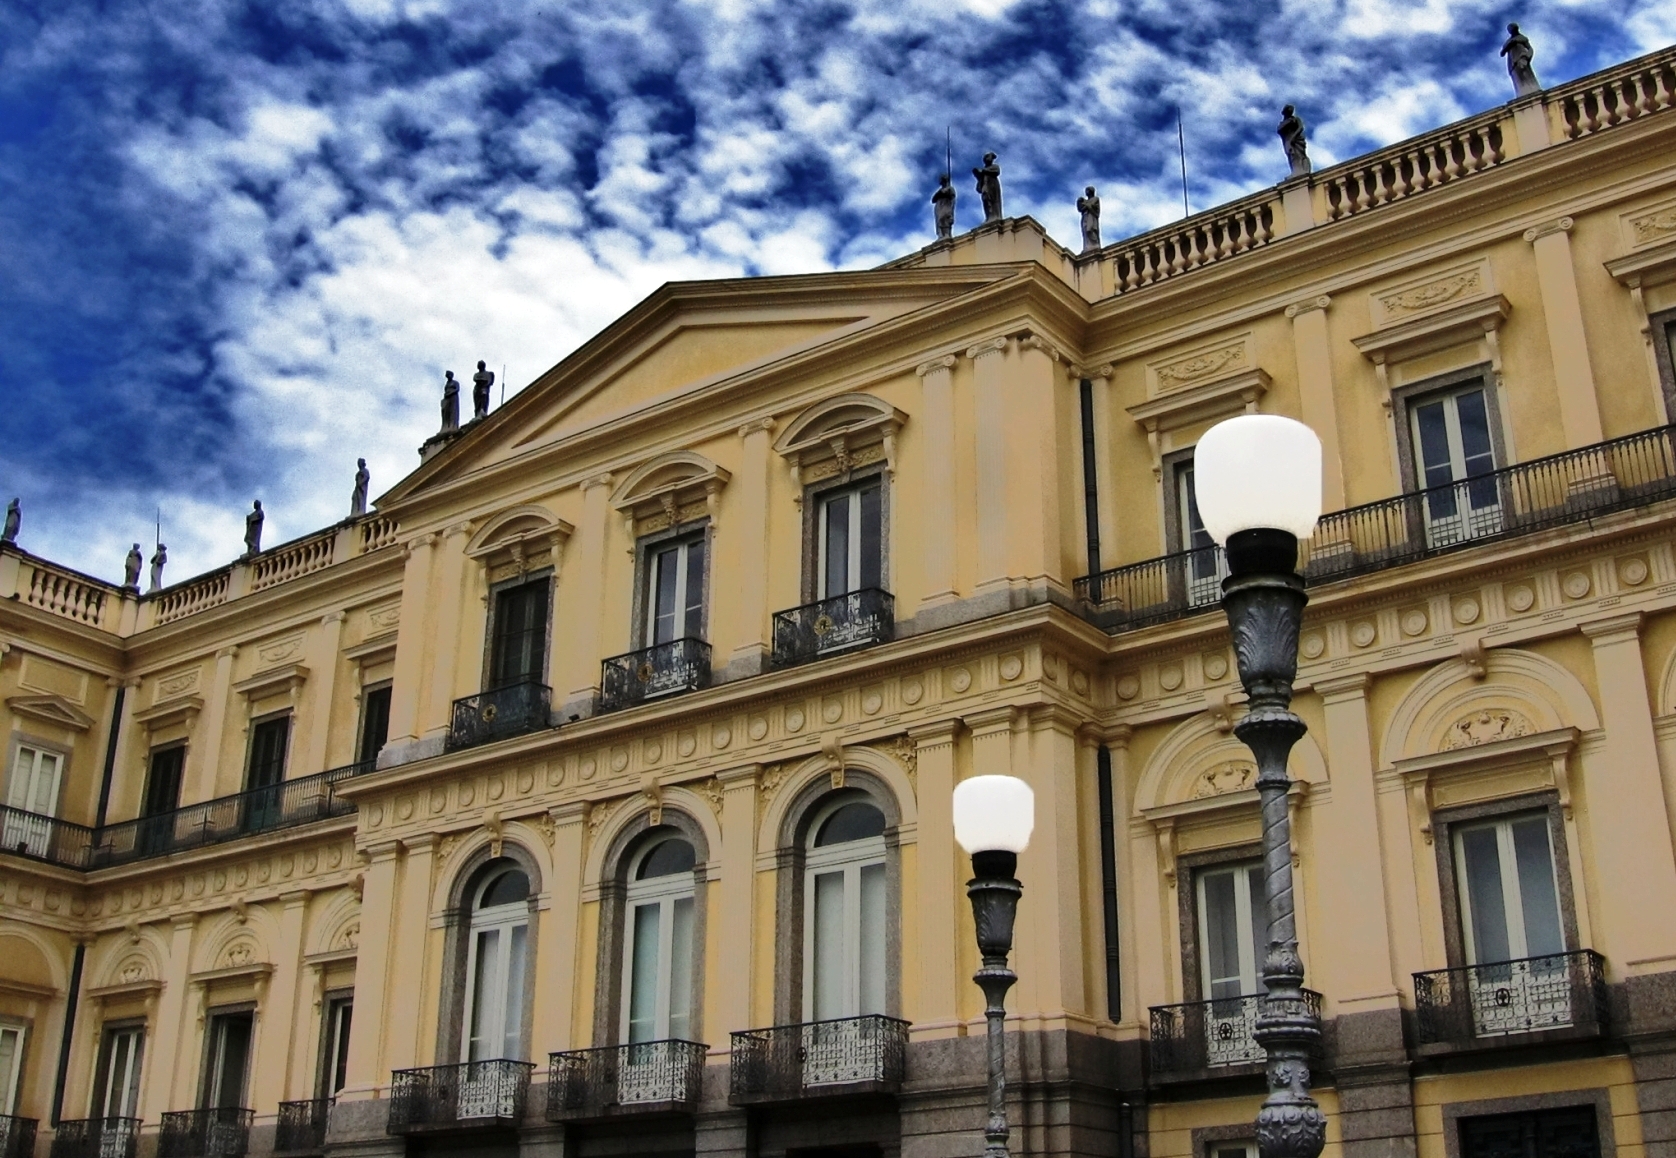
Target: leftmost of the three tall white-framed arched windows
497, 959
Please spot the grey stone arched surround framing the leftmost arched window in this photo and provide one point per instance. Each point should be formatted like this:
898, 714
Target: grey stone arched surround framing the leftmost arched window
458, 948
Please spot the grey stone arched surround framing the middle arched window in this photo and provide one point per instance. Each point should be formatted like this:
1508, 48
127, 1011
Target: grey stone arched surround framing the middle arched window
618, 896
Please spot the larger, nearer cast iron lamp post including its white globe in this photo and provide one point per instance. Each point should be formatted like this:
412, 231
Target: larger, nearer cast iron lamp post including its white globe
1258, 482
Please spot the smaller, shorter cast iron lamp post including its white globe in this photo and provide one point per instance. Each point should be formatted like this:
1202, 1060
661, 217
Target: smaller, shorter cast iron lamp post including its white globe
993, 820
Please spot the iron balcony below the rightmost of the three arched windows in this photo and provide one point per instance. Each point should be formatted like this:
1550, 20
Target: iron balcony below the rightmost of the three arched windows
824, 1058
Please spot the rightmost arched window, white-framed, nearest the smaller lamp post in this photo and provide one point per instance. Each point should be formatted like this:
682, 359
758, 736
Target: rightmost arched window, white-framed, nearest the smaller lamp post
846, 907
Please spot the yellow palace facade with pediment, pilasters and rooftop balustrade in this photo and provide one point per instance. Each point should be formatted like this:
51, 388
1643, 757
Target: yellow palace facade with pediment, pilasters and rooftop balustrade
592, 795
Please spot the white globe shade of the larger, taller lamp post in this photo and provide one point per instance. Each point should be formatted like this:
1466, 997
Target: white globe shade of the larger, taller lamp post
1258, 472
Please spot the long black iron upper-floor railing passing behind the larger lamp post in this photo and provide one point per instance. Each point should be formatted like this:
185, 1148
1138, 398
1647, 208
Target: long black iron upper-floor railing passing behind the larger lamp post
1518, 500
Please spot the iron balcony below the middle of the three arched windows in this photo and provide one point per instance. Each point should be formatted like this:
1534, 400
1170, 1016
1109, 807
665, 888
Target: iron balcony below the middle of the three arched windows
644, 1078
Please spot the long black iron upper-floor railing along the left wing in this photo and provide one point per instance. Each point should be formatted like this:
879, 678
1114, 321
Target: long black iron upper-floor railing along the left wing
262, 810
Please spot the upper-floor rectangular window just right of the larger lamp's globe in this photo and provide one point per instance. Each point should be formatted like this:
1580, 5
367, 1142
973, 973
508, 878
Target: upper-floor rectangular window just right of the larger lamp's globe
1454, 453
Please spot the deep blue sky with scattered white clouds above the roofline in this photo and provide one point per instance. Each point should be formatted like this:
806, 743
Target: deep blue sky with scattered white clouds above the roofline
242, 240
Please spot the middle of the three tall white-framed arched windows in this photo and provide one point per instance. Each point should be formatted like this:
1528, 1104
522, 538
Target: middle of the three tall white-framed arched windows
658, 968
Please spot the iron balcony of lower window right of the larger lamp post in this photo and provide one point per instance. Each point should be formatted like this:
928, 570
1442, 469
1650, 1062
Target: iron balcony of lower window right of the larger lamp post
1513, 1003
